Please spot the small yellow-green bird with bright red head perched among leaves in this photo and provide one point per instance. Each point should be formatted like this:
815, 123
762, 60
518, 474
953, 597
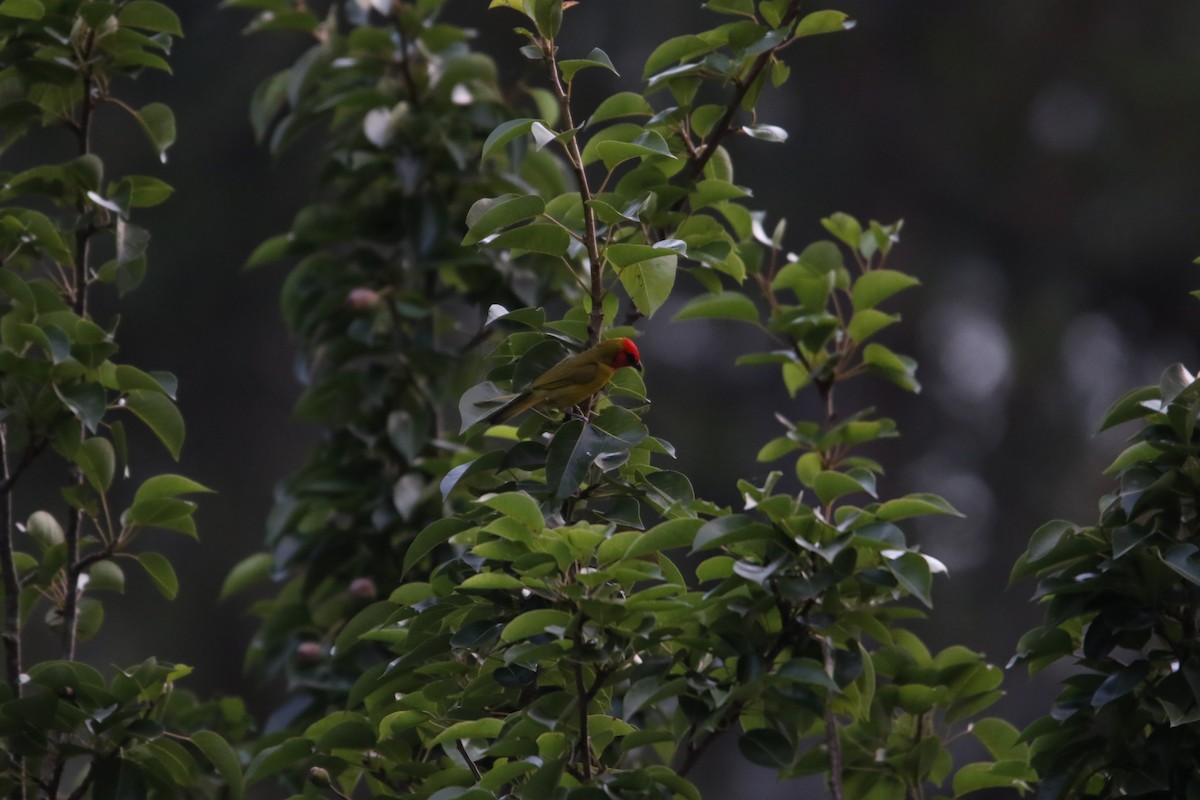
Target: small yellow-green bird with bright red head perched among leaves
573, 381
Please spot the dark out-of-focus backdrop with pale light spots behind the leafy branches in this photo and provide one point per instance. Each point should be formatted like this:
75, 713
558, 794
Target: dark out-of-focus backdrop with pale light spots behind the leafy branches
1040, 154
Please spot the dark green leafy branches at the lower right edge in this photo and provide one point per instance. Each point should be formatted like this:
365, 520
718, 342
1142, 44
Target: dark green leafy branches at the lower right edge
1121, 606
